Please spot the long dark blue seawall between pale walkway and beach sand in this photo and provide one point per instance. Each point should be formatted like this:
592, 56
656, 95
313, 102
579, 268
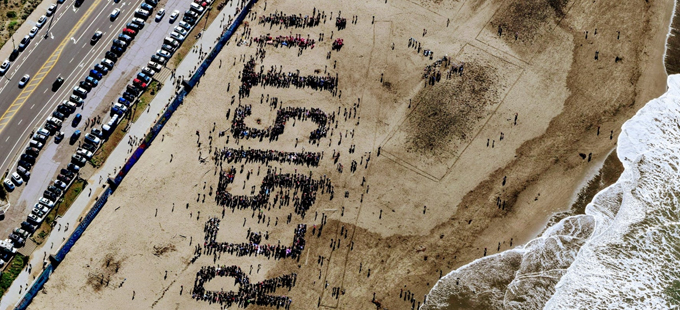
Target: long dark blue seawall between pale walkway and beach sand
153, 133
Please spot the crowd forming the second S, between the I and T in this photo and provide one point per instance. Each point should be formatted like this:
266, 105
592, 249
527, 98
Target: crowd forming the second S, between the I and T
240, 130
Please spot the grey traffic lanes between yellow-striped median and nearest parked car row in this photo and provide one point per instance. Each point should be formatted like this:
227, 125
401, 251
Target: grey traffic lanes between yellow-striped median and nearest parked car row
88, 56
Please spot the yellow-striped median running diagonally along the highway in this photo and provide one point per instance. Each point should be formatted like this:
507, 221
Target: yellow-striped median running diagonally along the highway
42, 72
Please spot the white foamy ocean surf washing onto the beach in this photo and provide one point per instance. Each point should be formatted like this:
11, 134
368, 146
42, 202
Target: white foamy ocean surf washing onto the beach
623, 253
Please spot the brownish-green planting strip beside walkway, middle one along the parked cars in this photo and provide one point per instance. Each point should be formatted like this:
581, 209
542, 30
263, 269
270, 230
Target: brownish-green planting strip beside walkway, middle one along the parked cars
119, 133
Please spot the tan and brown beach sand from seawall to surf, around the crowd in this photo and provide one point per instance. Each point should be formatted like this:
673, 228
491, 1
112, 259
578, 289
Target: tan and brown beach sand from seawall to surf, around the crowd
434, 152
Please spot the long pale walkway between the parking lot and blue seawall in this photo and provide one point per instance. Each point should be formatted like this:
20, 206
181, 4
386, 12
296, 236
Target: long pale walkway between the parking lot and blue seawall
116, 160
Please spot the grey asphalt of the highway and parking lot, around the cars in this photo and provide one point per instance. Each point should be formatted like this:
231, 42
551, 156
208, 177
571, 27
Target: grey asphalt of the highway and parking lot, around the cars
77, 58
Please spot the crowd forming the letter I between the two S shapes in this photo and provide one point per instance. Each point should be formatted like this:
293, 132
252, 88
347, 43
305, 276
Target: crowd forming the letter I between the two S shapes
231, 155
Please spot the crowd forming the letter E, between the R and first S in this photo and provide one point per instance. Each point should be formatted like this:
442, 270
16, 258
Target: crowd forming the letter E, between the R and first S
253, 247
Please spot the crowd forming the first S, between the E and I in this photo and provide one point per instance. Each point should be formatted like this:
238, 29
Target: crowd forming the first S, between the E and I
303, 185
